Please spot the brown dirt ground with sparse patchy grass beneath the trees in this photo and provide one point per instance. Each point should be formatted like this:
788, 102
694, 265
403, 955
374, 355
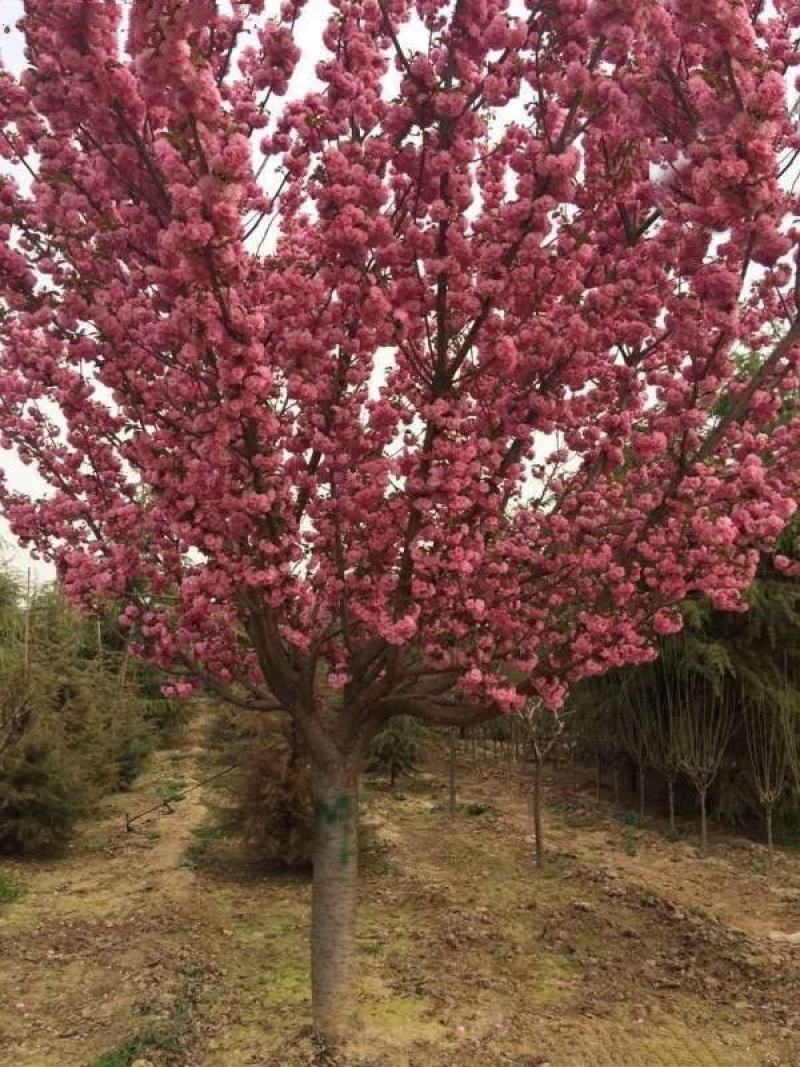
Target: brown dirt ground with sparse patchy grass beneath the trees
166, 948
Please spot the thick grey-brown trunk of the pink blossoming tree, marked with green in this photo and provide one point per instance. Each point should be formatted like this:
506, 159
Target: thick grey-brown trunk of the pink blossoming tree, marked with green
333, 898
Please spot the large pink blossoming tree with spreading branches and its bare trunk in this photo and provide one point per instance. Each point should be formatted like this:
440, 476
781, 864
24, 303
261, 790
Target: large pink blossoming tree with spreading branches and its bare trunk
410, 386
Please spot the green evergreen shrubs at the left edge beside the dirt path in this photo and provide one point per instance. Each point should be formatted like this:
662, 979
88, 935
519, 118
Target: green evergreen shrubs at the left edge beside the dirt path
78, 718
